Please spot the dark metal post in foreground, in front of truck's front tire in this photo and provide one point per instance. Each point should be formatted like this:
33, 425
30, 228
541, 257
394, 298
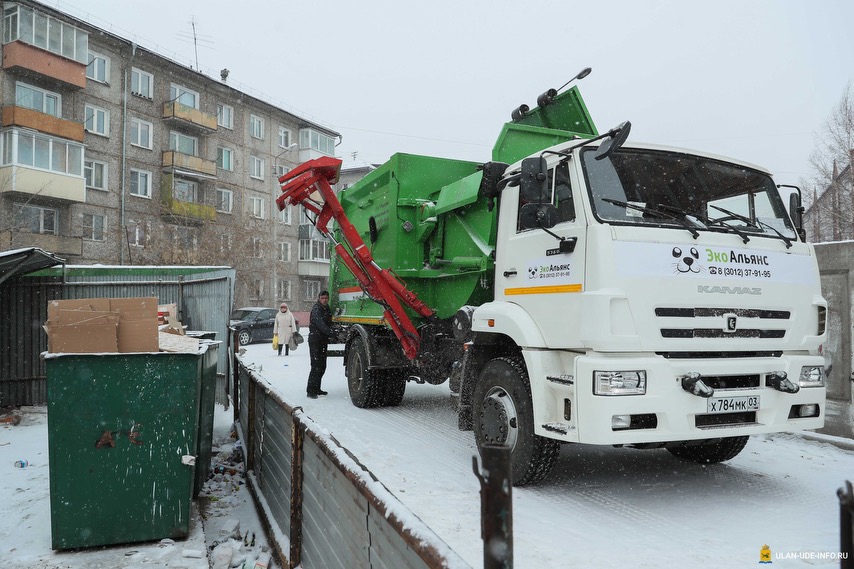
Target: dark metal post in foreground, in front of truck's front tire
496, 506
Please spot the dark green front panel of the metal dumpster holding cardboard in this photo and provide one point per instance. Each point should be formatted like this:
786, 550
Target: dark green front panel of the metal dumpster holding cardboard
122, 436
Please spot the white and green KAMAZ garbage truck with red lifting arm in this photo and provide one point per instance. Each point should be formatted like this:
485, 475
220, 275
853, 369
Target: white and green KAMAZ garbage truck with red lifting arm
576, 288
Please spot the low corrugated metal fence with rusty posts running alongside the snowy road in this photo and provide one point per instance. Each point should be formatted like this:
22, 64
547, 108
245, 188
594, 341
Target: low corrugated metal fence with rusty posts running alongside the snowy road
325, 510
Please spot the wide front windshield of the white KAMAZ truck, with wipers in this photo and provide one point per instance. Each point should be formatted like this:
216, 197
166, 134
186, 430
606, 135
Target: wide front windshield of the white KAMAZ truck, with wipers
650, 187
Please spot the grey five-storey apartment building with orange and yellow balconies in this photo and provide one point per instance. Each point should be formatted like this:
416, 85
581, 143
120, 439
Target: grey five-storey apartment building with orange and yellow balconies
113, 154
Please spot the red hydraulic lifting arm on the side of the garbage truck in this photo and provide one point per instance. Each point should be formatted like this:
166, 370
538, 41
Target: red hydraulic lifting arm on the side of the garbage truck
310, 185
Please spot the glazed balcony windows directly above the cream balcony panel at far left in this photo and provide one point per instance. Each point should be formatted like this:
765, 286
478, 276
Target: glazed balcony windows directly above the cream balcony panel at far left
43, 152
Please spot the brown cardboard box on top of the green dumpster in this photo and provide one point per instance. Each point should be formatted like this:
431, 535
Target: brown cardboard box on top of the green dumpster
96, 325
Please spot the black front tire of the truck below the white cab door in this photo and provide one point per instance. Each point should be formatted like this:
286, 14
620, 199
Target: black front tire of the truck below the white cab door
503, 414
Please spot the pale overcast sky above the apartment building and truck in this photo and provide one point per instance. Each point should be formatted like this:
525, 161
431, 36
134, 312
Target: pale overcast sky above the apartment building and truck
751, 79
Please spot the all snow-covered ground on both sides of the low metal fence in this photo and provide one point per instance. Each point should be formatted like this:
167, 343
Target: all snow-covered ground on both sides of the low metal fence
600, 507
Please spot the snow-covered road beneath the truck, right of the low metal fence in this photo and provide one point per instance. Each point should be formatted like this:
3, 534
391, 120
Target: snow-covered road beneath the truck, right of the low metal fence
601, 506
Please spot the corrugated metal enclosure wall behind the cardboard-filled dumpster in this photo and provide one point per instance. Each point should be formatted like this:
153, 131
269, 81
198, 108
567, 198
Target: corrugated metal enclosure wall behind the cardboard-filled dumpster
203, 296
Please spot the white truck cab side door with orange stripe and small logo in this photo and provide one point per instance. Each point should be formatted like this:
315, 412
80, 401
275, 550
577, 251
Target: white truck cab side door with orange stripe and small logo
531, 269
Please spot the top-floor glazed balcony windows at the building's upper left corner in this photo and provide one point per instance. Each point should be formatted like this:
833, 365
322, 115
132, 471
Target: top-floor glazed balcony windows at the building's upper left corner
38, 29
